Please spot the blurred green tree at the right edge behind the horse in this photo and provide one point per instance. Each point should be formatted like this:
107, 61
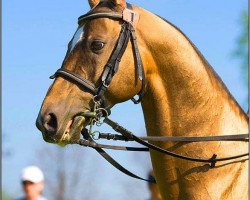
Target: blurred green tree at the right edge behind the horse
241, 51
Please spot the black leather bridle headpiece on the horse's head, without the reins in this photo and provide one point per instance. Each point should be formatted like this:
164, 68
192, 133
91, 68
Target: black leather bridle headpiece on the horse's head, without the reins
128, 17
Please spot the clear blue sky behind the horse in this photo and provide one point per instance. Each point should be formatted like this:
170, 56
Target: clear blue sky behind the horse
35, 35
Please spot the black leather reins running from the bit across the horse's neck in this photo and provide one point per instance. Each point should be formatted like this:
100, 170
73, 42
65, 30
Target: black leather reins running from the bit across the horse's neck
125, 135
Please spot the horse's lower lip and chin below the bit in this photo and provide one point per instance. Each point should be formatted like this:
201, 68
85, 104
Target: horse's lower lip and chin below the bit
72, 131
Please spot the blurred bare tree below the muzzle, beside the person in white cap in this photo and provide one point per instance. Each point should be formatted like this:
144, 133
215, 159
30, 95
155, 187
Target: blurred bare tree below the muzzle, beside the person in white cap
65, 171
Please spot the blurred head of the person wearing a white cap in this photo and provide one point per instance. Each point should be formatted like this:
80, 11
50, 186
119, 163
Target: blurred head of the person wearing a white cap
32, 179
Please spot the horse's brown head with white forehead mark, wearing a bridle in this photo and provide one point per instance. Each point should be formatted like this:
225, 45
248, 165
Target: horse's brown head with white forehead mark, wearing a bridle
98, 47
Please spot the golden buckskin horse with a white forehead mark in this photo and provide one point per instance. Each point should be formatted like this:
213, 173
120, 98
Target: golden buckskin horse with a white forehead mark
180, 94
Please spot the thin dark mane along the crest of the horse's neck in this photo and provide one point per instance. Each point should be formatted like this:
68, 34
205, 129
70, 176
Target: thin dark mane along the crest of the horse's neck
210, 69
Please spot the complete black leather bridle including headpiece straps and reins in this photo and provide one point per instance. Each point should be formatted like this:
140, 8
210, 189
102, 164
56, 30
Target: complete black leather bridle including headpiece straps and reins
127, 33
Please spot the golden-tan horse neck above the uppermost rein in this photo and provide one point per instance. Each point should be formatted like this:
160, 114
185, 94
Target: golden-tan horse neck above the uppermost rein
184, 96
